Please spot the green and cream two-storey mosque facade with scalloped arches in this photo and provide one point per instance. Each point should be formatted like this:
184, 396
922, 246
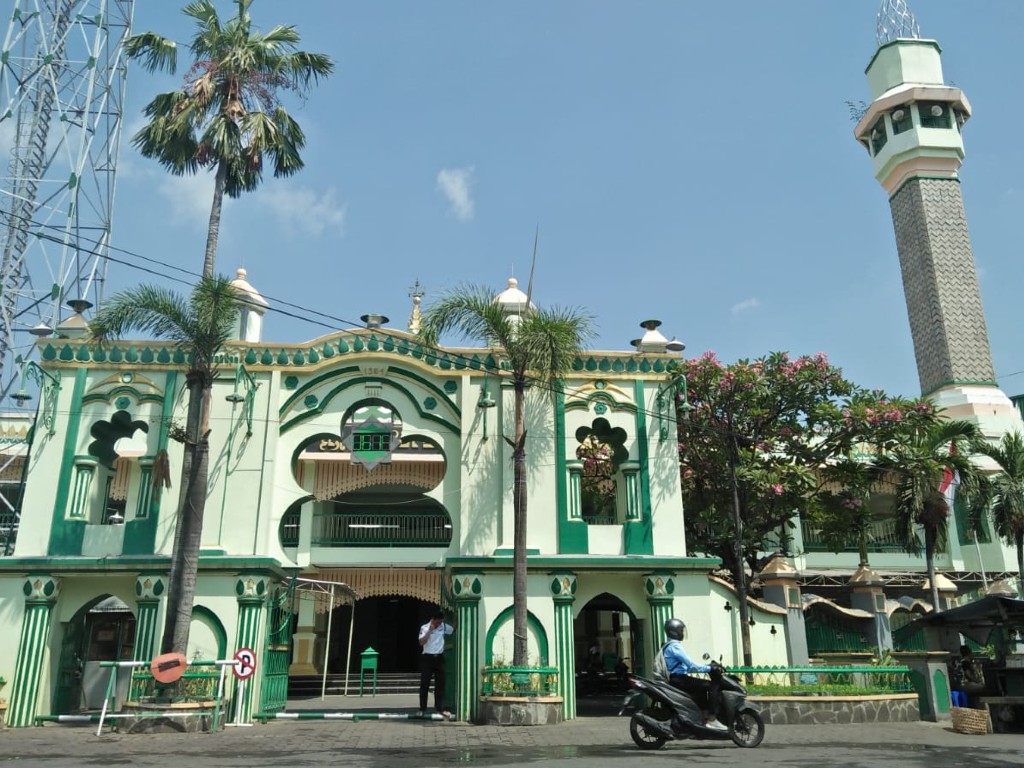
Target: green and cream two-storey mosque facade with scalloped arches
360, 459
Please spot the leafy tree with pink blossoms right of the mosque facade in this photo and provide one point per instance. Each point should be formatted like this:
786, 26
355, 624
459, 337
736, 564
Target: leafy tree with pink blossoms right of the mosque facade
754, 438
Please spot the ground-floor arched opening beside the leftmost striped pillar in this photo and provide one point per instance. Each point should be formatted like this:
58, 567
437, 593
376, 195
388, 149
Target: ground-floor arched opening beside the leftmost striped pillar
103, 630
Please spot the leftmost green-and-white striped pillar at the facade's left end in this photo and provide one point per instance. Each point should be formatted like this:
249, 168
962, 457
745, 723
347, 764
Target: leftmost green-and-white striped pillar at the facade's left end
40, 595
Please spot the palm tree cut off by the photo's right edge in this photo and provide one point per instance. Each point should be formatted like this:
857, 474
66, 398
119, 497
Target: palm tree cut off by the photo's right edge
1006, 490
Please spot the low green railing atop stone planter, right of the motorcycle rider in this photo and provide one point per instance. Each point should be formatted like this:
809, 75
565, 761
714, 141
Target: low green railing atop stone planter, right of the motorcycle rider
826, 681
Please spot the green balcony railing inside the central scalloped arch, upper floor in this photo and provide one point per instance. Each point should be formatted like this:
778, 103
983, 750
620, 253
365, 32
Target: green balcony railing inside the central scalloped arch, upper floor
367, 529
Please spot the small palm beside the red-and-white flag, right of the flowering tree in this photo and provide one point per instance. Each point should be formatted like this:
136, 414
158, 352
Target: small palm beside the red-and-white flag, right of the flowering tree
928, 457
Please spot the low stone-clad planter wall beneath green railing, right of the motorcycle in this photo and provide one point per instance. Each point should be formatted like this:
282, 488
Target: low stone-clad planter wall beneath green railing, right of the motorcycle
814, 710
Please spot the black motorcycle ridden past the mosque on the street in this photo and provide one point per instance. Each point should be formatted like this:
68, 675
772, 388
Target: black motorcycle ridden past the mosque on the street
673, 714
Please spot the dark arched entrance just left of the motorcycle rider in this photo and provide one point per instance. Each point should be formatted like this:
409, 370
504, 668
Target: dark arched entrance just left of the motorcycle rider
606, 634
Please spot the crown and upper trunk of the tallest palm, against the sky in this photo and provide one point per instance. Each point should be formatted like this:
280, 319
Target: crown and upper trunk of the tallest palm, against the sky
229, 116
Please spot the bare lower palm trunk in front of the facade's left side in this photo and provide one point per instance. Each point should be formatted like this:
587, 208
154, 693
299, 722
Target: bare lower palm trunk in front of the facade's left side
189, 531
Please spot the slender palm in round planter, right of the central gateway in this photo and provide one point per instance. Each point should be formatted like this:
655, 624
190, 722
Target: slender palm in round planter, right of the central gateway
538, 346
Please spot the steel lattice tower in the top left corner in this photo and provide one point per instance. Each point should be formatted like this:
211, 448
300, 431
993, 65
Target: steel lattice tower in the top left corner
63, 82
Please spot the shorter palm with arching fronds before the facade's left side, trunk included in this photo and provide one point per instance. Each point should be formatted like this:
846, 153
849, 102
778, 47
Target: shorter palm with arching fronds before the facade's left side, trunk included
202, 325
